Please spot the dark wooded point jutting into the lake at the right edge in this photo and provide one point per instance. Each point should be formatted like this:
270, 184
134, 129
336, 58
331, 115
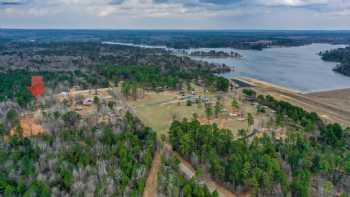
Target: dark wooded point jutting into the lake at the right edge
342, 56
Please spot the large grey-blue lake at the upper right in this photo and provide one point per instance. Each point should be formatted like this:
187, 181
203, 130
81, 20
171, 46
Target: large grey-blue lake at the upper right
299, 68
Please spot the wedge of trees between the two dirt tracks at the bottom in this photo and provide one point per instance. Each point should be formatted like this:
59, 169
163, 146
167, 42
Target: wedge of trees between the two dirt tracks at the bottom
171, 182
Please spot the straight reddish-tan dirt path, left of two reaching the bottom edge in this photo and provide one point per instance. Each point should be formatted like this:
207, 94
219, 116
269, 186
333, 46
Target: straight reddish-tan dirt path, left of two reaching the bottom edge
152, 179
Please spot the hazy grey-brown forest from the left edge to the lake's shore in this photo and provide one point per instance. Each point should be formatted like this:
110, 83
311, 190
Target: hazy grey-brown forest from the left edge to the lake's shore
87, 56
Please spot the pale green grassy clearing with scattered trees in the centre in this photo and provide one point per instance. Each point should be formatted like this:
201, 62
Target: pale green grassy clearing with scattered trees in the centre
158, 110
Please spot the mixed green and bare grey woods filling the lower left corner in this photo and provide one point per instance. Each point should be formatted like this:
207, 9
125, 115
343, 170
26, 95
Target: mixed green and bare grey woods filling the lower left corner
101, 160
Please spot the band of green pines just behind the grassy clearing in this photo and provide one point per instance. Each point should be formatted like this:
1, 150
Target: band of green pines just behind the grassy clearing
155, 77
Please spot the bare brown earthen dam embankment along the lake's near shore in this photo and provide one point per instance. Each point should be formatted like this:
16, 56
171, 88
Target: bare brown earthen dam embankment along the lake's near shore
323, 105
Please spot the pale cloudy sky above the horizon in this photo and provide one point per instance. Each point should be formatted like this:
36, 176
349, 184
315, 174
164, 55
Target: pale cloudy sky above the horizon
175, 14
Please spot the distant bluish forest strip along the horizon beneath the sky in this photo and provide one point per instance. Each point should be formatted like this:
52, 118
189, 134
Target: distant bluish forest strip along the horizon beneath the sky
183, 39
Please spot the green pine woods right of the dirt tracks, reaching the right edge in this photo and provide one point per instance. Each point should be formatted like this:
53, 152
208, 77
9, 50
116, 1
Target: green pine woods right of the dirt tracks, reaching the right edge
317, 153
